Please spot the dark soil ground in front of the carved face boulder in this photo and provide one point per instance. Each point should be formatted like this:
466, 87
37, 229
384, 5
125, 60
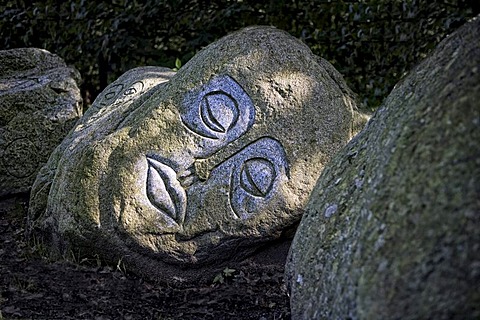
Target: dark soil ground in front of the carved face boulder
31, 287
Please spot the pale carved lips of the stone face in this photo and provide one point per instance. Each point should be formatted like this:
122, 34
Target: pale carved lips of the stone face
164, 191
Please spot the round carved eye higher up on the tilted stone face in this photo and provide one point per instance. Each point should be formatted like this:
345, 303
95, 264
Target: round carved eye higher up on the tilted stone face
219, 111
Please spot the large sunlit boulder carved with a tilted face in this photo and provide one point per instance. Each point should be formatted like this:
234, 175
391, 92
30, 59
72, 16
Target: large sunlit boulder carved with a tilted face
181, 178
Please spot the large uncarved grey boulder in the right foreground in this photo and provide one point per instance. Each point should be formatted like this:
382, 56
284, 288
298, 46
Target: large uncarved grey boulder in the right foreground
392, 227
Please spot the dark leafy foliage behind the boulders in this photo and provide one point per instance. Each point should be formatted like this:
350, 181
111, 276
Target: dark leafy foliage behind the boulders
371, 42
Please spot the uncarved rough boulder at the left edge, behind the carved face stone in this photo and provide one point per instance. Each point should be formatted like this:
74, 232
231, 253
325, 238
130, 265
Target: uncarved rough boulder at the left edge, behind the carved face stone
39, 103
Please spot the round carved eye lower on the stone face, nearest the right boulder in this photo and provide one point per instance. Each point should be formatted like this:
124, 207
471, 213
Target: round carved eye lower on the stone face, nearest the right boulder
257, 176
